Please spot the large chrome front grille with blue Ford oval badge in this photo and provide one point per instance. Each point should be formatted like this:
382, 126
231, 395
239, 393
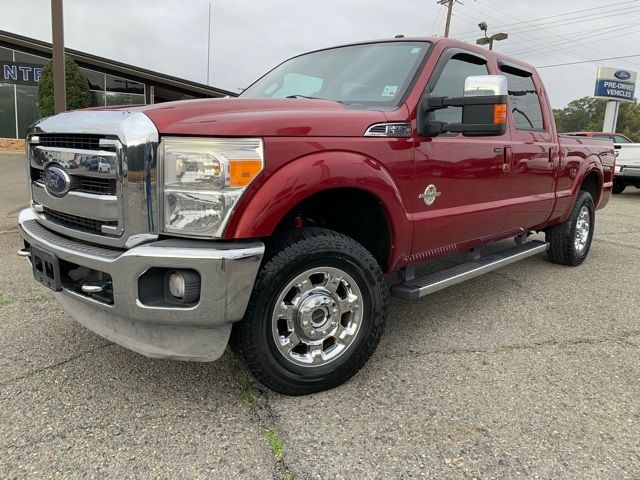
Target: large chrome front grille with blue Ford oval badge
93, 176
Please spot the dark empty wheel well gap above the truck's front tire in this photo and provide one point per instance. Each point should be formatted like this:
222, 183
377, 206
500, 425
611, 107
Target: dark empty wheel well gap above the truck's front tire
352, 212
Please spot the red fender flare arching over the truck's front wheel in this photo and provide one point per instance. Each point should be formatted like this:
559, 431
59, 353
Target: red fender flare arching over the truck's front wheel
267, 202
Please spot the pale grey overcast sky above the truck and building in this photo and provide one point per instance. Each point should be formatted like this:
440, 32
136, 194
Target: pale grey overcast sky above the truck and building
251, 36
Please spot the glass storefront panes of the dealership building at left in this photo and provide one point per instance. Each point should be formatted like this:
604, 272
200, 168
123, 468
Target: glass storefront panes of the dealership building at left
19, 103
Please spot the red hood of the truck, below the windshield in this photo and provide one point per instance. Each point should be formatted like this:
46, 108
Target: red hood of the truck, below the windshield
260, 117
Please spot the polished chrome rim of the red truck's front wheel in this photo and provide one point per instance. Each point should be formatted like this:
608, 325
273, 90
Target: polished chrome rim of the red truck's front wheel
317, 316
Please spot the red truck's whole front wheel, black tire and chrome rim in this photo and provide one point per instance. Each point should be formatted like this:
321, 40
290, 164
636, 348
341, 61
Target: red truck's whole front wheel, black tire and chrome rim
316, 314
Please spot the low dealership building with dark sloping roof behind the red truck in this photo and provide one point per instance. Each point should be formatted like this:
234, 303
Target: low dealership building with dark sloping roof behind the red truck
110, 82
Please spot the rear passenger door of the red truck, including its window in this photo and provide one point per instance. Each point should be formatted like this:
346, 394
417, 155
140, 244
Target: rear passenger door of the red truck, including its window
534, 151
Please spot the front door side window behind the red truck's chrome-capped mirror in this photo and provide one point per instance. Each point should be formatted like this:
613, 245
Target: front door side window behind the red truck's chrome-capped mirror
451, 84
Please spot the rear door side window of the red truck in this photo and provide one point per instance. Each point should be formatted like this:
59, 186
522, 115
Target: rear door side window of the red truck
525, 103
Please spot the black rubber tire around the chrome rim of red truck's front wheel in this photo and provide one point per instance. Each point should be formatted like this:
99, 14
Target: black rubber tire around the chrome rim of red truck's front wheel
289, 255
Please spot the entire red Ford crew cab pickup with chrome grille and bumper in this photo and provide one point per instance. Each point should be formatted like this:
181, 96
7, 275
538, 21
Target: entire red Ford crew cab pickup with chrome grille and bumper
273, 218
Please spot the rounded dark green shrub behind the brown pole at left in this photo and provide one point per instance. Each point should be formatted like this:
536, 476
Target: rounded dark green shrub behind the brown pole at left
77, 88
